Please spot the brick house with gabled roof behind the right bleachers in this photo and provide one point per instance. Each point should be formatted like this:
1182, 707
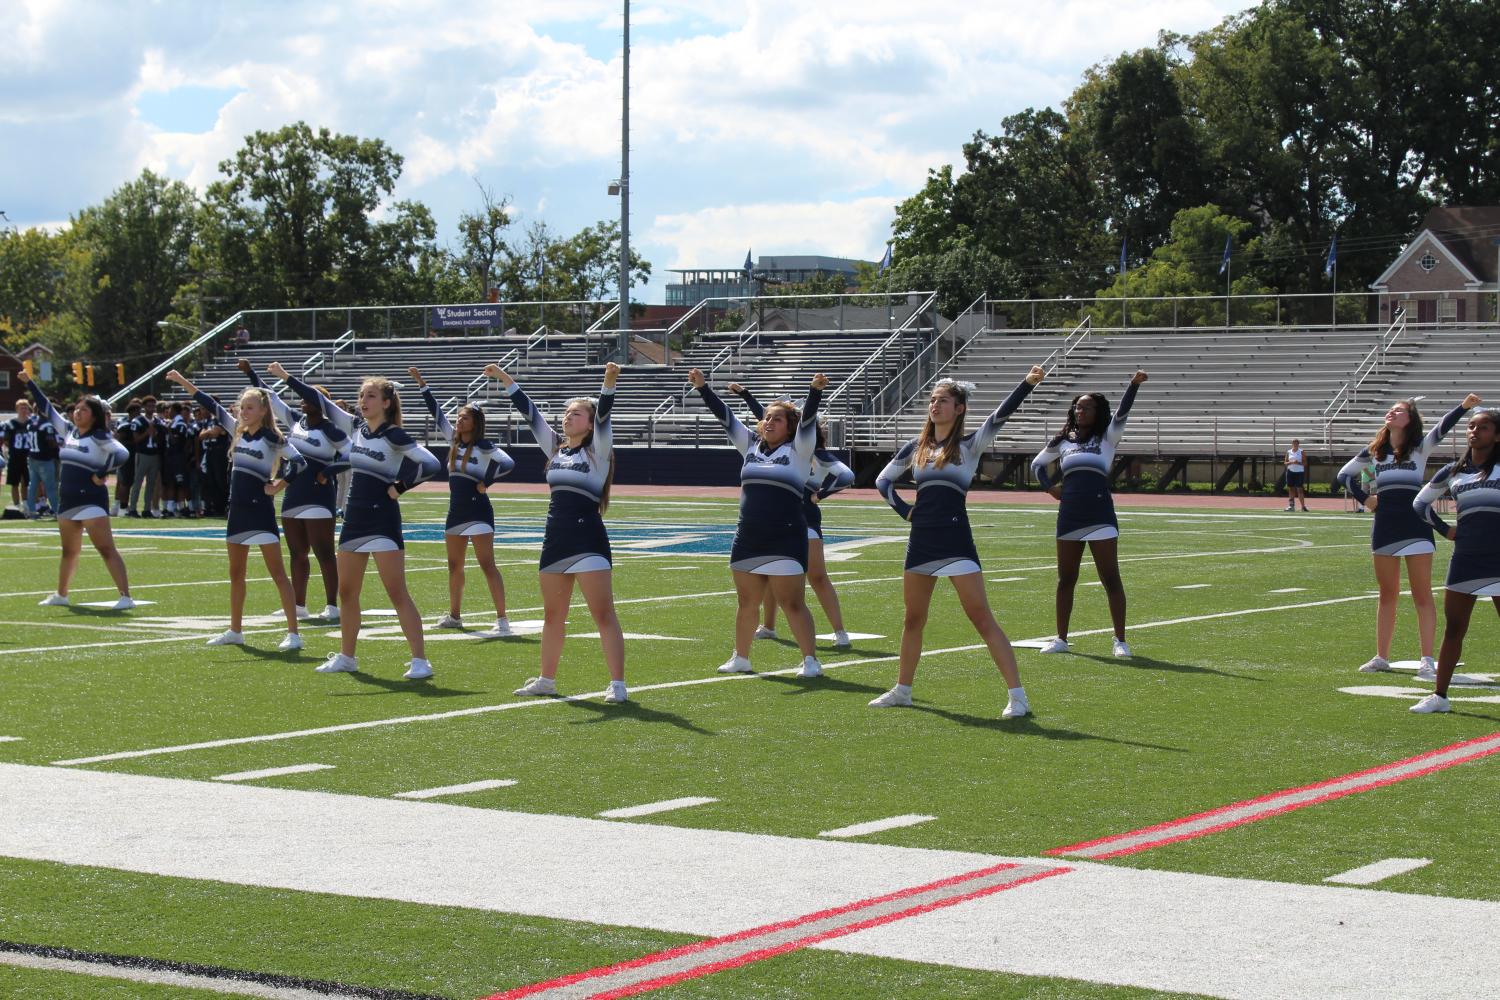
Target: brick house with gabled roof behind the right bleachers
1448, 272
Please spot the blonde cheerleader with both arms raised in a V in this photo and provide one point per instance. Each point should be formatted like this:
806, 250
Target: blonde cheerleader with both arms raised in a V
575, 548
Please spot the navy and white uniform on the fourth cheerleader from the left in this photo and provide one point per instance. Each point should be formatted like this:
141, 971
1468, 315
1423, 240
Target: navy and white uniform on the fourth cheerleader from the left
380, 460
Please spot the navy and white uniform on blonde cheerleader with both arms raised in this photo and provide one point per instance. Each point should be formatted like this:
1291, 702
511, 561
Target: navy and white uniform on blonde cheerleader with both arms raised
575, 539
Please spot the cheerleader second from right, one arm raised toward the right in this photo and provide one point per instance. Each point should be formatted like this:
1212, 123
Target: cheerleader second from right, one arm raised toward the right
1397, 463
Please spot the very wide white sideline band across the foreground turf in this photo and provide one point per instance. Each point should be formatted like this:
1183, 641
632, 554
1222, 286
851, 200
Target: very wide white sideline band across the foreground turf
1157, 930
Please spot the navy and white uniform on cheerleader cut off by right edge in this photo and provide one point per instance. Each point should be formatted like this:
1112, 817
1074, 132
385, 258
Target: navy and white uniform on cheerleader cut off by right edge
1475, 567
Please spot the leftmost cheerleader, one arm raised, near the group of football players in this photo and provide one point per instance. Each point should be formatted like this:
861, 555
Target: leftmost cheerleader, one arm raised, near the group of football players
89, 454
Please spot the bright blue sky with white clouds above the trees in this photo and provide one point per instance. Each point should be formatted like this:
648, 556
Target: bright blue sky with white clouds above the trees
776, 128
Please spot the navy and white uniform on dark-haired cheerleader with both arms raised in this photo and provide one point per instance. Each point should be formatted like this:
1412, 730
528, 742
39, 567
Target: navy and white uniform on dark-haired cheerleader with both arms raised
772, 536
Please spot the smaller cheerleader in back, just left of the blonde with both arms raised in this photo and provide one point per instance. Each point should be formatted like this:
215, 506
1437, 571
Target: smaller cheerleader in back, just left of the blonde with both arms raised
475, 464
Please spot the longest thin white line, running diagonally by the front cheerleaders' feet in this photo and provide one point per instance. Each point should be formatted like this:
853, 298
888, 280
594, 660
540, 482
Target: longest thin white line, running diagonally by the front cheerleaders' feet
725, 678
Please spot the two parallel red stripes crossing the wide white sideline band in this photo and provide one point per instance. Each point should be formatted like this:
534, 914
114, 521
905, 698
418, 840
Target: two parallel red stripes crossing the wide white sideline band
779, 950
